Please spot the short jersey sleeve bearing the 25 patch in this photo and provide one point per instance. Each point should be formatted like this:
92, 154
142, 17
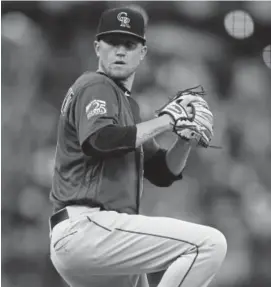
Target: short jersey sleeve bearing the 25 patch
97, 107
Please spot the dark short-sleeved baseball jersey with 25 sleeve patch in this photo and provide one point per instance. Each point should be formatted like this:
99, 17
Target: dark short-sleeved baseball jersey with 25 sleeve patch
95, 101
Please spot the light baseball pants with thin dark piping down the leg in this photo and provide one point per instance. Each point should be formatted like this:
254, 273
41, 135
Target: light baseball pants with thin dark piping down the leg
96, 248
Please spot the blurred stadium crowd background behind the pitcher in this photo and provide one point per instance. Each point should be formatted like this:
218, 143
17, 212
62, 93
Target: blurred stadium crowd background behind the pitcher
47, 45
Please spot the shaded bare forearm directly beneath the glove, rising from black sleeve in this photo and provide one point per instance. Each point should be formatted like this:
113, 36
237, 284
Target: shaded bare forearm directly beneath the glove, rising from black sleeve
177, 156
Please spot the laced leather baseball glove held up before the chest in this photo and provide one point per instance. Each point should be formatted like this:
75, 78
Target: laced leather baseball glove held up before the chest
192, 118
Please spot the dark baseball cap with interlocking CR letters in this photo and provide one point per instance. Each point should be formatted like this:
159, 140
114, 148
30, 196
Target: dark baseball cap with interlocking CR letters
123, 21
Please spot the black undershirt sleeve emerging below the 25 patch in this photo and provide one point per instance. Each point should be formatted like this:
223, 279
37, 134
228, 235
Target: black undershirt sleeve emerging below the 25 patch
111, 141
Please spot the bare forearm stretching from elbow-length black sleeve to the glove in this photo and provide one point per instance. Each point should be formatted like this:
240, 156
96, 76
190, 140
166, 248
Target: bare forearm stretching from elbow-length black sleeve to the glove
149, 129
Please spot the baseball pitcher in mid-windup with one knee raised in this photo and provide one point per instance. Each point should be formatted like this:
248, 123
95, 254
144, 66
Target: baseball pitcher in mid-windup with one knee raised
98, 238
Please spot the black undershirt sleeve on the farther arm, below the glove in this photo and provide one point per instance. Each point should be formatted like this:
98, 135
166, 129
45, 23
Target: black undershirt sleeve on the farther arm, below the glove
157, 171
